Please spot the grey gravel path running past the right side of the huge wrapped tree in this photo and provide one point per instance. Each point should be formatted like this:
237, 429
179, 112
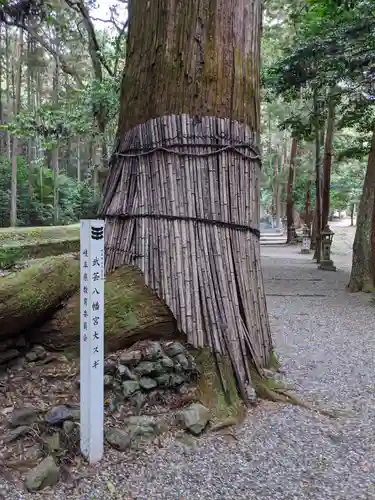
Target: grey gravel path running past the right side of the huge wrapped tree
326, 342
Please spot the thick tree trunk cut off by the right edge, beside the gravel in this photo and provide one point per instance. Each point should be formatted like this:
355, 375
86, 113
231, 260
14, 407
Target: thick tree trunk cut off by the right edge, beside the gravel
362, 276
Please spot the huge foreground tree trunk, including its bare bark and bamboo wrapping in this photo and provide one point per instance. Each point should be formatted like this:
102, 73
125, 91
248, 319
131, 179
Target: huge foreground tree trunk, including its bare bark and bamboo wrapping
190, 91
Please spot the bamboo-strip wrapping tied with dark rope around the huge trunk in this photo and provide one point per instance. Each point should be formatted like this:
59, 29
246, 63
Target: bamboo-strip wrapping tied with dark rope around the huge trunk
182, 203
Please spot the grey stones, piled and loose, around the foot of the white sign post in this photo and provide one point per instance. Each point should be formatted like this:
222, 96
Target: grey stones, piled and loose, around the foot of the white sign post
52, 437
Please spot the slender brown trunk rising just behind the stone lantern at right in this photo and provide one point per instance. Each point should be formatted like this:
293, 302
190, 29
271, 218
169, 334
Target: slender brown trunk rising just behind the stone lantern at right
327, 160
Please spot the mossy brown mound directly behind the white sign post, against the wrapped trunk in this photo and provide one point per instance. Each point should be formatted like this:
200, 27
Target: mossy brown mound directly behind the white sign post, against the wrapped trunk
131, 313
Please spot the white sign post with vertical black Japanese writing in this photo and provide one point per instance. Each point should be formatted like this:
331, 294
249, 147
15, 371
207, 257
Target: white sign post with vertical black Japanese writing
92, 339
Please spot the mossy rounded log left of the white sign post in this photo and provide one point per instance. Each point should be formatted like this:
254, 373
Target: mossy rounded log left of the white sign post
28, 296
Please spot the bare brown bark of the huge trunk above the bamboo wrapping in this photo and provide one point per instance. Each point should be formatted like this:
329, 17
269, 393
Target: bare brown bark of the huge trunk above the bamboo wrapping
192, 57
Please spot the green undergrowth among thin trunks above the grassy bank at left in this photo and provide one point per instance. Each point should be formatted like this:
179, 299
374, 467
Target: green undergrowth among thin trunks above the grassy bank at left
76, 199
